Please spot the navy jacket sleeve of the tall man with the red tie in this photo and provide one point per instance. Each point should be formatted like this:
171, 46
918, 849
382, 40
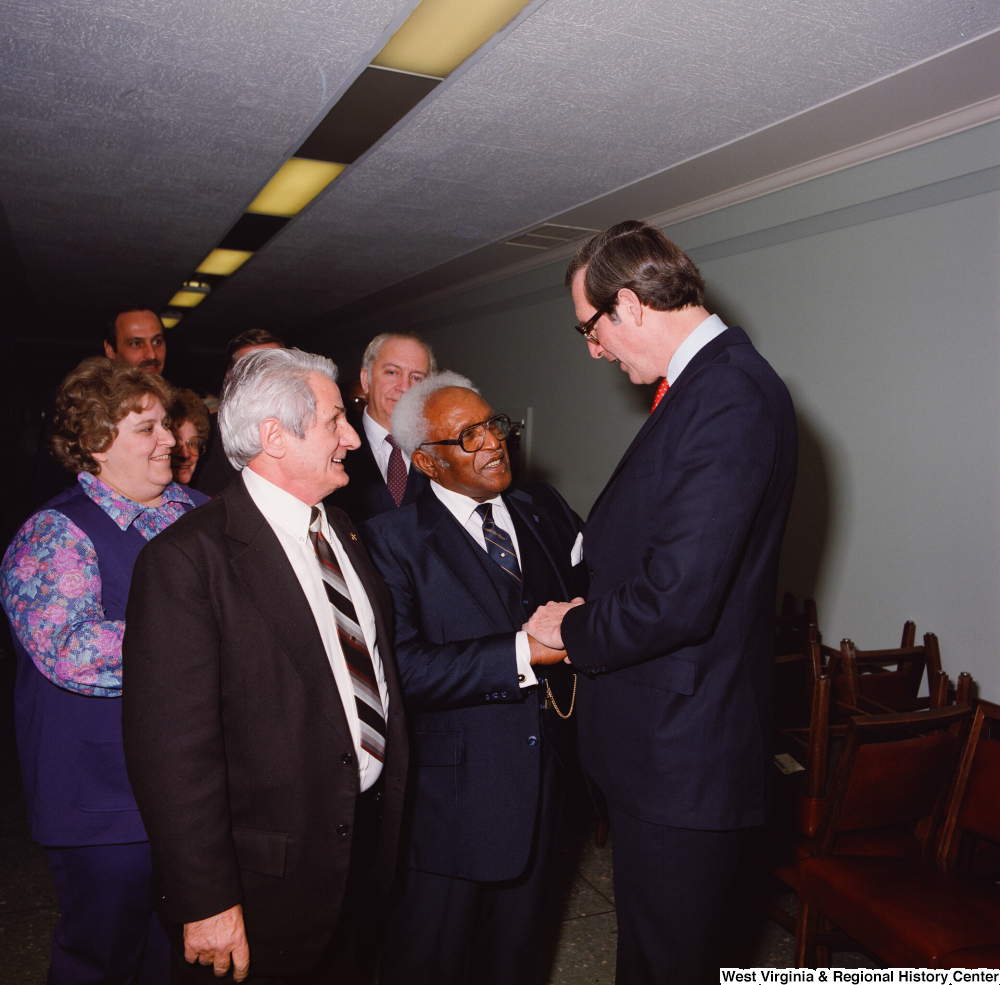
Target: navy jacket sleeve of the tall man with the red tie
701, 482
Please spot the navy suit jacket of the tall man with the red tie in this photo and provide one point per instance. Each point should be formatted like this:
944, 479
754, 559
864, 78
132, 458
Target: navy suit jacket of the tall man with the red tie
682, 545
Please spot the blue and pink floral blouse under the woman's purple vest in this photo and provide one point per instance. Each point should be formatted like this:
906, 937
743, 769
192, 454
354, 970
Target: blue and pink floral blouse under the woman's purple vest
50, 588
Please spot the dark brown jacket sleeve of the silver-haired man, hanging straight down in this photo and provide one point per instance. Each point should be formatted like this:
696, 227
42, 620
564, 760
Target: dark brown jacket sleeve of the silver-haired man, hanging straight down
173, 733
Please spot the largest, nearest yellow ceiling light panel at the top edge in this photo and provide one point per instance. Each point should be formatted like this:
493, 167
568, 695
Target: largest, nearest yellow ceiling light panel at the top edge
440, 34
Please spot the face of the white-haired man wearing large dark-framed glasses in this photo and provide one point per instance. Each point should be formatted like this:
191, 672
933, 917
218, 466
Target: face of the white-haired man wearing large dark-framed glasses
481, 475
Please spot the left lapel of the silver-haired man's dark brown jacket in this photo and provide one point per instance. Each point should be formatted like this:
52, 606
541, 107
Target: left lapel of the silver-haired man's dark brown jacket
267, 576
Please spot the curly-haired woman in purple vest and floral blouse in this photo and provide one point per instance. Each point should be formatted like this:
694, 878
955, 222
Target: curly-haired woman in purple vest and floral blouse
64, 583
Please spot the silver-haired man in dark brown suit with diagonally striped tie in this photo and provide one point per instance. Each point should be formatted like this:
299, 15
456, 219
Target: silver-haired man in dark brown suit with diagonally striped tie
262, 717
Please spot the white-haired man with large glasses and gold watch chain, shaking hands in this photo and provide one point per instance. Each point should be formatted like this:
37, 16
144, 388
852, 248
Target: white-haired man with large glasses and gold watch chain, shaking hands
467, 563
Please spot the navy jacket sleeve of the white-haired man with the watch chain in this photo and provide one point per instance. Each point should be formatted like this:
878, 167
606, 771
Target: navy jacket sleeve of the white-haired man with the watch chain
437, 674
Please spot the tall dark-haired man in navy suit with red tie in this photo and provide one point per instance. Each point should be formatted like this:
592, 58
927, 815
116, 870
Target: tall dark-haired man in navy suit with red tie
675, 638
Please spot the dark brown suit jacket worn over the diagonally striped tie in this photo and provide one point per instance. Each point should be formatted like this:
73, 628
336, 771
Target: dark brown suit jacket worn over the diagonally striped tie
236, 741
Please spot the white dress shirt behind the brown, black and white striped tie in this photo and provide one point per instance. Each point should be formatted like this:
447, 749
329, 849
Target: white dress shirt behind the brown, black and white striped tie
289, 518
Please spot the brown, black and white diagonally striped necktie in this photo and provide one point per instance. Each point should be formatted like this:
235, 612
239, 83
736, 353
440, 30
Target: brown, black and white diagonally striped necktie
352, 642
